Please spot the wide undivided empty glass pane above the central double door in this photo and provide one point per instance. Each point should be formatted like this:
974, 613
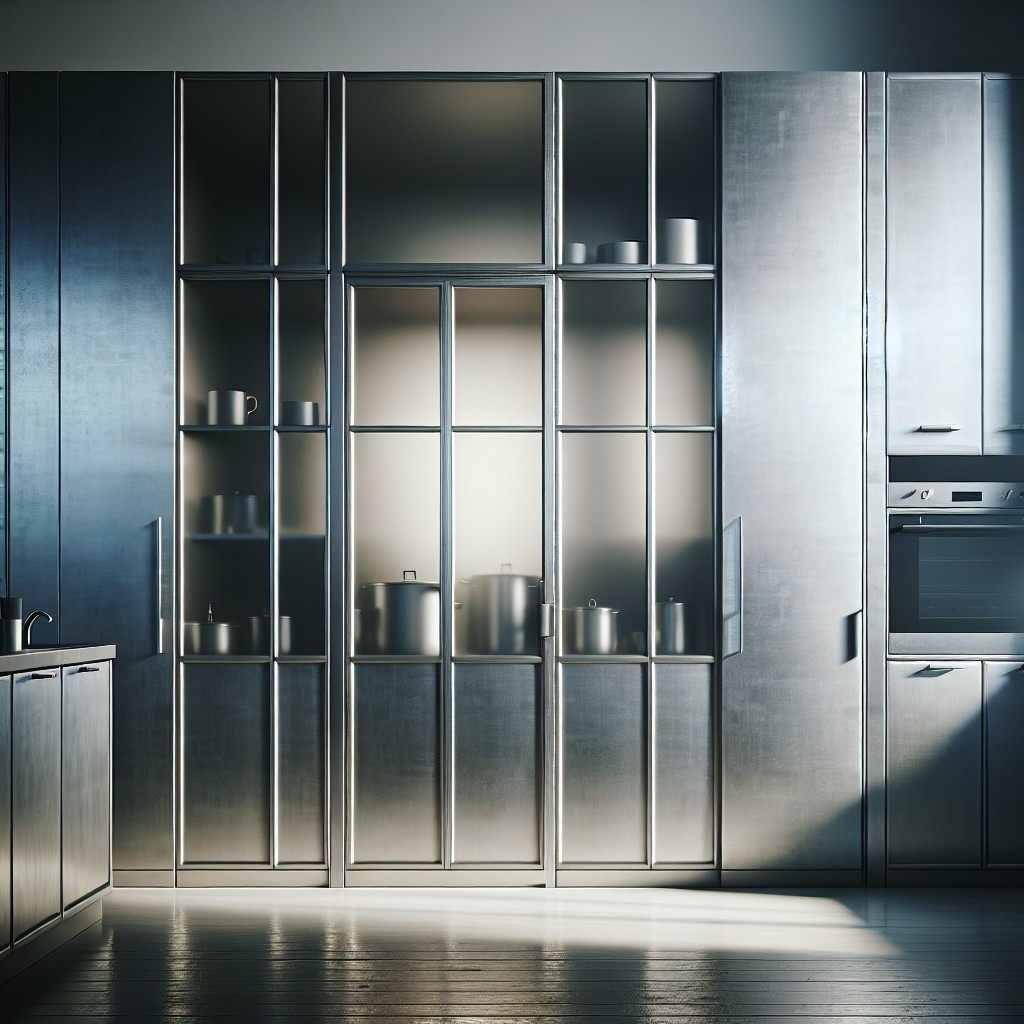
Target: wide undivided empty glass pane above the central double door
445, 172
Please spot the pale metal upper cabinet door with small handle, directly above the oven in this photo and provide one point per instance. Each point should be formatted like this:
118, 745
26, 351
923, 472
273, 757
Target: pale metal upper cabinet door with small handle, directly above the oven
934, 266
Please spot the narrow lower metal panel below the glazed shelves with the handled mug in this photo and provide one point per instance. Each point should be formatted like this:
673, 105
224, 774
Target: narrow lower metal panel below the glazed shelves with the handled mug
302, 764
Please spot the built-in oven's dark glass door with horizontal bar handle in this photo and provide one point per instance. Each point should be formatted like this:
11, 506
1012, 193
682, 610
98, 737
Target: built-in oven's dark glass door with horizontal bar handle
957, 584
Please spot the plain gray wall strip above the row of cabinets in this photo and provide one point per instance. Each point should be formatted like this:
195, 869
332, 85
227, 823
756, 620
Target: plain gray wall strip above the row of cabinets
511, 35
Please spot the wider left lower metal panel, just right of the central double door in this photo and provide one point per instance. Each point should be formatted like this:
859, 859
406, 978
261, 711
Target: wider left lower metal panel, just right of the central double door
604, 765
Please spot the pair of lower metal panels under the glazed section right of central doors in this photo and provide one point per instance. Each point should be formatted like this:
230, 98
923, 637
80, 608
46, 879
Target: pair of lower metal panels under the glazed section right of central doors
636, 787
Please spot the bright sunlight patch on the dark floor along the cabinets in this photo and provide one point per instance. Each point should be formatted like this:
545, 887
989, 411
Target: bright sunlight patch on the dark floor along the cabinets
714, 922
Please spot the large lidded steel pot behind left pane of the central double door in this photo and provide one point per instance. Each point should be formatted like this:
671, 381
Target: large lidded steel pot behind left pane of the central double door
401, 618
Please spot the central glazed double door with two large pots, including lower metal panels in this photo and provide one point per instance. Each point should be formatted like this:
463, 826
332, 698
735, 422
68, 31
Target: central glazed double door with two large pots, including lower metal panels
447, 544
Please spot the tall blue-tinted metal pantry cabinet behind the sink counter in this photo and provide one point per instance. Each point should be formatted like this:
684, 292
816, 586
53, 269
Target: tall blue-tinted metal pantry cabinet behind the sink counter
91, 349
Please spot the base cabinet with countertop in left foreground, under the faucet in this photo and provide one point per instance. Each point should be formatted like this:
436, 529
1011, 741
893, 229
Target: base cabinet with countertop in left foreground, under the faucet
56, 781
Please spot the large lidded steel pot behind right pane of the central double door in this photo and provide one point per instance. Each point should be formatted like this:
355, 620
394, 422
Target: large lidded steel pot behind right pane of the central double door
502, 614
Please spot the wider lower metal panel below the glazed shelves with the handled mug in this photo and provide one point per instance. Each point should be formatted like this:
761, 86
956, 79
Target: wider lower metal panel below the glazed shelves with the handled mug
226, 764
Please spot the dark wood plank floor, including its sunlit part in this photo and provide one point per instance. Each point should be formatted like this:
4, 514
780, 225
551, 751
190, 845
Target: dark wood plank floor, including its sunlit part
560, 956
